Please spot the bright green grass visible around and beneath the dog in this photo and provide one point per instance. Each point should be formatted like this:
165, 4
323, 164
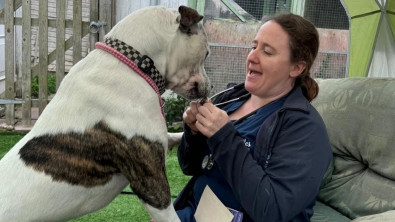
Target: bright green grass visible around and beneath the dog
125, 207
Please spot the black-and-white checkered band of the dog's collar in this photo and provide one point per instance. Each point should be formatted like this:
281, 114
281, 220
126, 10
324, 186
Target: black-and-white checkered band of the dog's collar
145, 63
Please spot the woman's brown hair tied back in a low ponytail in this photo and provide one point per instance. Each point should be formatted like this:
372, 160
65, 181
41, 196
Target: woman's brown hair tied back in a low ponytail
304, 44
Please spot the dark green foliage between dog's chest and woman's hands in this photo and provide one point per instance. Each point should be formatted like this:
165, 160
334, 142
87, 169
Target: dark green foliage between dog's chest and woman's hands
174, 108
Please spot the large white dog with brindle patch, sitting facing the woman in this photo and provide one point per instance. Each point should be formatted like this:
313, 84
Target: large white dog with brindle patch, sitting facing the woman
104, 128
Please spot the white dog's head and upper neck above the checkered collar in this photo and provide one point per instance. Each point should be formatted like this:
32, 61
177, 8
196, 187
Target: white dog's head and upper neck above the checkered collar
177, 43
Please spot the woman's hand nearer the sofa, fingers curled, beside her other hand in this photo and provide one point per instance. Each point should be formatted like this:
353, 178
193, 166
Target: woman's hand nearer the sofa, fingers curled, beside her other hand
210, 119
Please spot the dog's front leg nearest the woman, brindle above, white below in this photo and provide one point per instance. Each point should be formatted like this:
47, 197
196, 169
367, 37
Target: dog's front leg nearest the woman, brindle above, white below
143, 164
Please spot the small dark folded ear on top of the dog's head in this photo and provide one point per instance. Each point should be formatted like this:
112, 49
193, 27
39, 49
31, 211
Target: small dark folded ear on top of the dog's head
189, 18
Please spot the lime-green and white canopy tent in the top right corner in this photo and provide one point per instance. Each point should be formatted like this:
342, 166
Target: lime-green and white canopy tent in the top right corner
372, 38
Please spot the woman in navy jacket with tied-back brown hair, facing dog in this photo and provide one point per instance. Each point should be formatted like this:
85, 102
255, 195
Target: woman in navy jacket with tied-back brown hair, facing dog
266, 153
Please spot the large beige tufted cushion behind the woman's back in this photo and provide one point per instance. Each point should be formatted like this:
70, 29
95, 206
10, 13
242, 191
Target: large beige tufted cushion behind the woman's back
359, 114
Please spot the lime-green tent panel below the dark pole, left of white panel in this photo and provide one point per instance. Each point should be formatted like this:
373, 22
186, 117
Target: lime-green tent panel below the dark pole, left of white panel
363, 31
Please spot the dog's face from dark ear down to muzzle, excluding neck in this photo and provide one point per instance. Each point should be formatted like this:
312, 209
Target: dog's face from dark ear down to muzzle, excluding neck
185, 71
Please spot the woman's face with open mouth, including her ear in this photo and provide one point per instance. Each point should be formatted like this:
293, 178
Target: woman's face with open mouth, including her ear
270, 72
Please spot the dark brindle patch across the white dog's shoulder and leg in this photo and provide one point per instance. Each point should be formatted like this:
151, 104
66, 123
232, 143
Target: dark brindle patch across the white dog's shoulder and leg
92, 158
